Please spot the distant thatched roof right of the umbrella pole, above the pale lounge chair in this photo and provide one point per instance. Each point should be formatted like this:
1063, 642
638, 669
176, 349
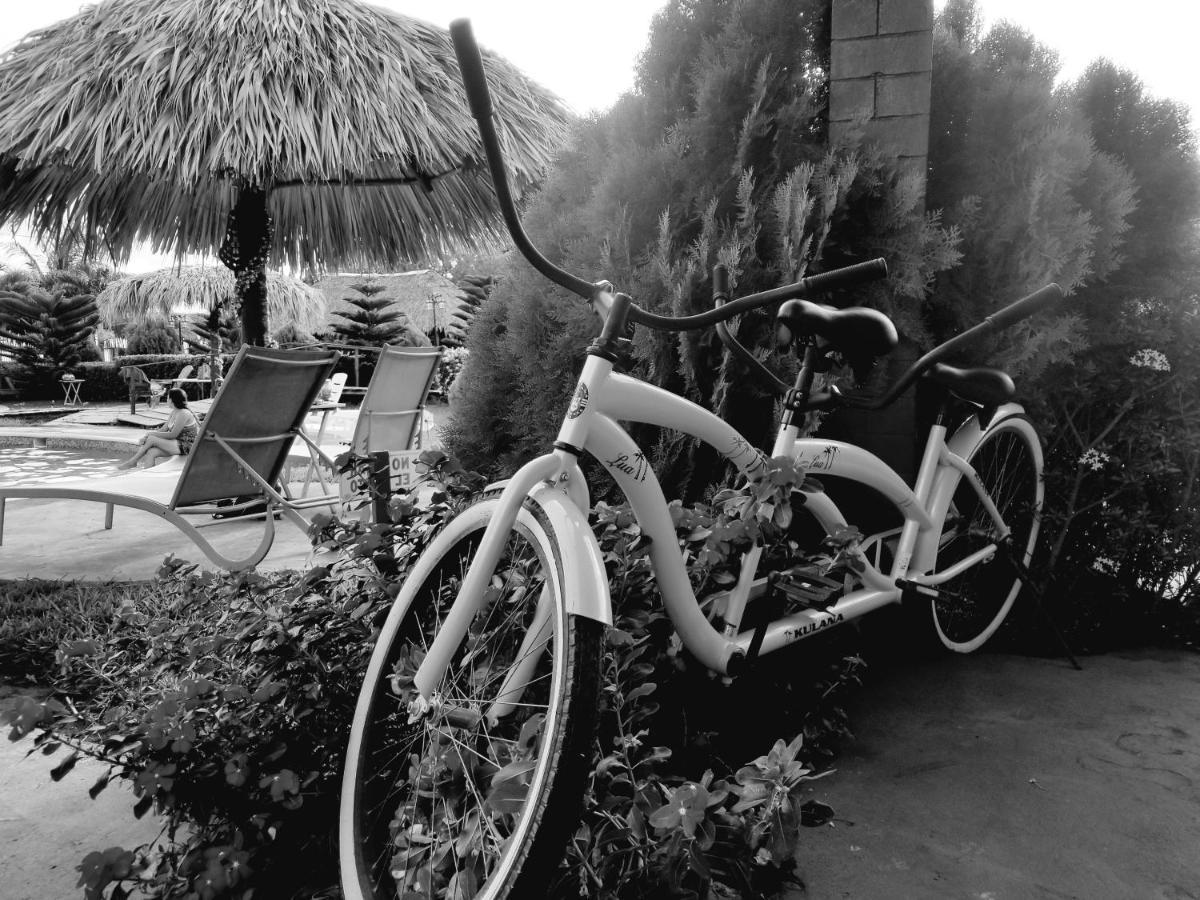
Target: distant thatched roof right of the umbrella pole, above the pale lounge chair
411, 292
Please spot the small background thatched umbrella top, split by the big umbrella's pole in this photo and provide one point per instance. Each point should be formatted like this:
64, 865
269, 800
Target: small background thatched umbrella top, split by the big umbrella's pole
157, 296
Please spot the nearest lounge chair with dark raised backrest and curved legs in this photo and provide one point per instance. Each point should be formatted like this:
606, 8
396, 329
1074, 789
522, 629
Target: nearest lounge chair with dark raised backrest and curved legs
239, 453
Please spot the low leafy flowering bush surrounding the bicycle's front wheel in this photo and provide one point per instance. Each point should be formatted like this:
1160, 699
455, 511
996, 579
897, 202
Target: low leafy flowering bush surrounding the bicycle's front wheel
226, 700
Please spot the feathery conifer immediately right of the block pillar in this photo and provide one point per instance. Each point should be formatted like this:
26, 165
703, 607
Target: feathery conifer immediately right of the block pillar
1015, 167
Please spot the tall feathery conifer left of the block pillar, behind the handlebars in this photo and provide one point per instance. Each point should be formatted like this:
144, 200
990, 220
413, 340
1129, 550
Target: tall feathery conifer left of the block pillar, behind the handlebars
719, 155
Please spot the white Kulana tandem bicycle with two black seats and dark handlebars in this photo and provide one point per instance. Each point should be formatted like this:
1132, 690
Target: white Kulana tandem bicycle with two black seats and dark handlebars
470, 748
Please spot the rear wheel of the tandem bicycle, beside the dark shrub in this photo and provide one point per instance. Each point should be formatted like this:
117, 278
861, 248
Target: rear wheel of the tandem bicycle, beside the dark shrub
973, 607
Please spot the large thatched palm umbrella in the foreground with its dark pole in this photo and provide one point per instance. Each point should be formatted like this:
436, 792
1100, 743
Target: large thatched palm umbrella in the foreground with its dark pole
303, 133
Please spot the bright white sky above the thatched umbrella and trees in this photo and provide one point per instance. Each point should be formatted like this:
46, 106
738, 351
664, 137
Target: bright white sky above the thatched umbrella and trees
586, 52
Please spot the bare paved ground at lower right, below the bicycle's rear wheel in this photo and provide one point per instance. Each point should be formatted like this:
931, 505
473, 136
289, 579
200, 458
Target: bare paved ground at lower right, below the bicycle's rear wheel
994, 777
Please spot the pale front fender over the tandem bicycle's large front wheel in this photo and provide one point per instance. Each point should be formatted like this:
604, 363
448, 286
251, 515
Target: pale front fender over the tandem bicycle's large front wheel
585, 579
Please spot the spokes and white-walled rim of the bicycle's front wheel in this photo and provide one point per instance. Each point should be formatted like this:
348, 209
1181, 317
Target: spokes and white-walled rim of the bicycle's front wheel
428, 814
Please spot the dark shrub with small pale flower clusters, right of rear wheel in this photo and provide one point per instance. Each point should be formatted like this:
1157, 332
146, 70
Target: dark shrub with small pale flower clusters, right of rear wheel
1123, 521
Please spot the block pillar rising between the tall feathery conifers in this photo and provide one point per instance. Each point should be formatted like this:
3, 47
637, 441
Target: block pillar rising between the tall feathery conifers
881, 59
